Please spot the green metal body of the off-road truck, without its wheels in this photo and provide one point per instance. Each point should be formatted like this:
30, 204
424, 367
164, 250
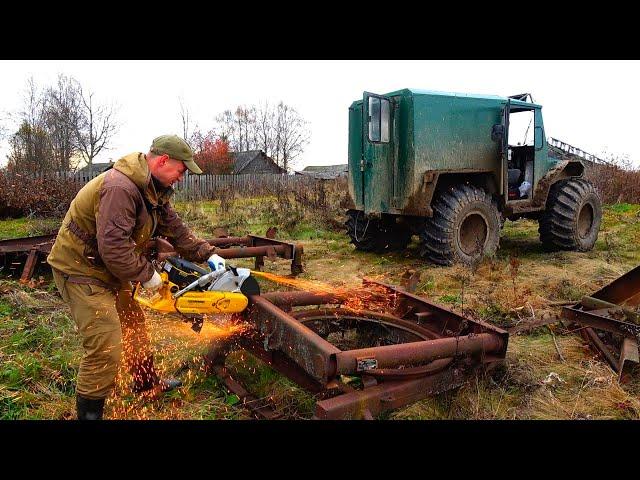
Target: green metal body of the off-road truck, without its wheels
431, 132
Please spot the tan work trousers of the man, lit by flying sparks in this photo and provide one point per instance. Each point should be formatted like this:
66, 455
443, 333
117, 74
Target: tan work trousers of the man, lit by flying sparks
111, 323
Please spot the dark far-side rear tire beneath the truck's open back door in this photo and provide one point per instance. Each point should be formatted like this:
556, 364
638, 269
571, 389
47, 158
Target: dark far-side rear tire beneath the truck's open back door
373, 235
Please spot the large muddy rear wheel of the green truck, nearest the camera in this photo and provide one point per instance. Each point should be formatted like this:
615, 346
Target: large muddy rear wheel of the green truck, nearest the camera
465, 226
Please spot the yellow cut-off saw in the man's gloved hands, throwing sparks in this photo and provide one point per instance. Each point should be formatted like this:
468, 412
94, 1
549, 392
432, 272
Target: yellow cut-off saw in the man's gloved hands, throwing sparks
194, 291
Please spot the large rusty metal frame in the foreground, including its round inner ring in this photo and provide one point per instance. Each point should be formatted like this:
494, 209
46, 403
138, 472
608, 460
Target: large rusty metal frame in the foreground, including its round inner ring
361, 352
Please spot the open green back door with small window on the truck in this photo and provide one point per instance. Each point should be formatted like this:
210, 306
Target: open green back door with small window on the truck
378, 165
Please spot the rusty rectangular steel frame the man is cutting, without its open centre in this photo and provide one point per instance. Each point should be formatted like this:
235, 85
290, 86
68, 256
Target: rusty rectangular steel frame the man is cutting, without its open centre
393, 375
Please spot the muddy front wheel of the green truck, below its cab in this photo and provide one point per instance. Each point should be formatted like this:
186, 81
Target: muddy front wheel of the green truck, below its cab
572, 218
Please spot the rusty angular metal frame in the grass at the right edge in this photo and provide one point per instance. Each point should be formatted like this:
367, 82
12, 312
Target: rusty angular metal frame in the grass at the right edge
610, 321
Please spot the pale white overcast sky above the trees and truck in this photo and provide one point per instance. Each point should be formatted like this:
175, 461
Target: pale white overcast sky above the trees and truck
592, 105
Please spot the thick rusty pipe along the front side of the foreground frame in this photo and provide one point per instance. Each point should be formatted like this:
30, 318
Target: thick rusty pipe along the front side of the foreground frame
390, 356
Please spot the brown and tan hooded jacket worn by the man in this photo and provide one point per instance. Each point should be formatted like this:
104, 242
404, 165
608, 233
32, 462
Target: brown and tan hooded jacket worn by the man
111, 218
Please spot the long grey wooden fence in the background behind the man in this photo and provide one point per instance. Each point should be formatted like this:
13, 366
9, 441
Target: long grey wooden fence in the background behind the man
194, 187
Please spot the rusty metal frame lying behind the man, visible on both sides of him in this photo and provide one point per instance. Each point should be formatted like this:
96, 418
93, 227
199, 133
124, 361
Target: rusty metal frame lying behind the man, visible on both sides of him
23, 257
